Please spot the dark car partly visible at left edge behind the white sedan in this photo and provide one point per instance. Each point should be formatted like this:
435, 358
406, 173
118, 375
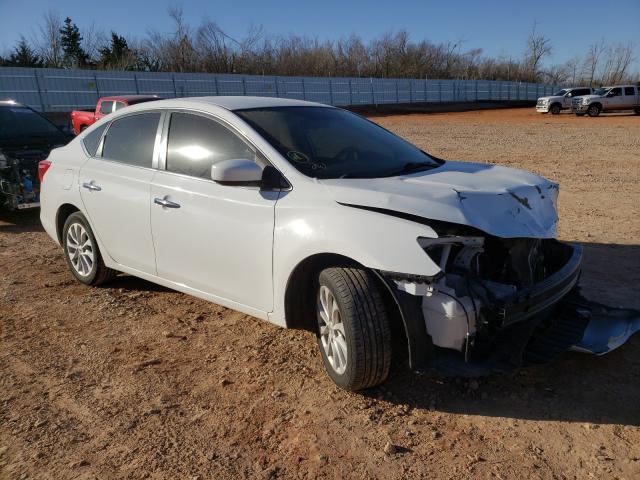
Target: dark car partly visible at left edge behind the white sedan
26, 138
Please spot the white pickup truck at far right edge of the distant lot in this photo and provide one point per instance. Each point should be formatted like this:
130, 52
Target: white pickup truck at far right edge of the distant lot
607, 99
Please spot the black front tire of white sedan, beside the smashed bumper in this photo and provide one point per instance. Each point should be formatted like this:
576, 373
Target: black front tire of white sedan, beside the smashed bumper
365, 321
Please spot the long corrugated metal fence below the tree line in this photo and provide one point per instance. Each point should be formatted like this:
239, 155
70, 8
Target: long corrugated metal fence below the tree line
54, 90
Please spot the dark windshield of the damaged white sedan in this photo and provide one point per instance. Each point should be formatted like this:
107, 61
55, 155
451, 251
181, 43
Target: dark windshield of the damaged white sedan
326, 142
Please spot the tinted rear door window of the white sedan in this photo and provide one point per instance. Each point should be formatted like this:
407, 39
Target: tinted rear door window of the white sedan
131, 139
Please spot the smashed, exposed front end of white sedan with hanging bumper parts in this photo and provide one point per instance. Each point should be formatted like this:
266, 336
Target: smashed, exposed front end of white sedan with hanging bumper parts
506, 303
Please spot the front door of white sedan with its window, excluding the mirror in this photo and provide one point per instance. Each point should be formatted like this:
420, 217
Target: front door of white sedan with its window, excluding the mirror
214, 238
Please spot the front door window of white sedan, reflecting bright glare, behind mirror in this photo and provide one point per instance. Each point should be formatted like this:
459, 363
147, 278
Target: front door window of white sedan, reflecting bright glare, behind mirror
195, 143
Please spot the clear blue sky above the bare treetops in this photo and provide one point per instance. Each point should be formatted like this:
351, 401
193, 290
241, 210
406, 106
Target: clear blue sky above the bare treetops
497, 26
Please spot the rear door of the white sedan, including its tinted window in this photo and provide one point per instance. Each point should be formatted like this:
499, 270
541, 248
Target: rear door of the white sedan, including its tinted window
115, 189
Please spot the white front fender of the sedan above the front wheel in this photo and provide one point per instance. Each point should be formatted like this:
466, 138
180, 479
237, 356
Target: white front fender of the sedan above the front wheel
314, 225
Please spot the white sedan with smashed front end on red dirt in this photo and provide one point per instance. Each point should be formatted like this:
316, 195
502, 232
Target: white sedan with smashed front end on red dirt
312, 217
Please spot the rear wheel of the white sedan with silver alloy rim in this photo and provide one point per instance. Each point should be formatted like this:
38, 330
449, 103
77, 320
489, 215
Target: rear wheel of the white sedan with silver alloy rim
81, 252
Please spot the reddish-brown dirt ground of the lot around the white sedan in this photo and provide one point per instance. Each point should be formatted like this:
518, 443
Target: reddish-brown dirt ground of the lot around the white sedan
135, 381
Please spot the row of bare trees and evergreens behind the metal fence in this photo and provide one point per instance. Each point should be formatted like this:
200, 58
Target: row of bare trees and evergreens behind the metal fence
207, 48
